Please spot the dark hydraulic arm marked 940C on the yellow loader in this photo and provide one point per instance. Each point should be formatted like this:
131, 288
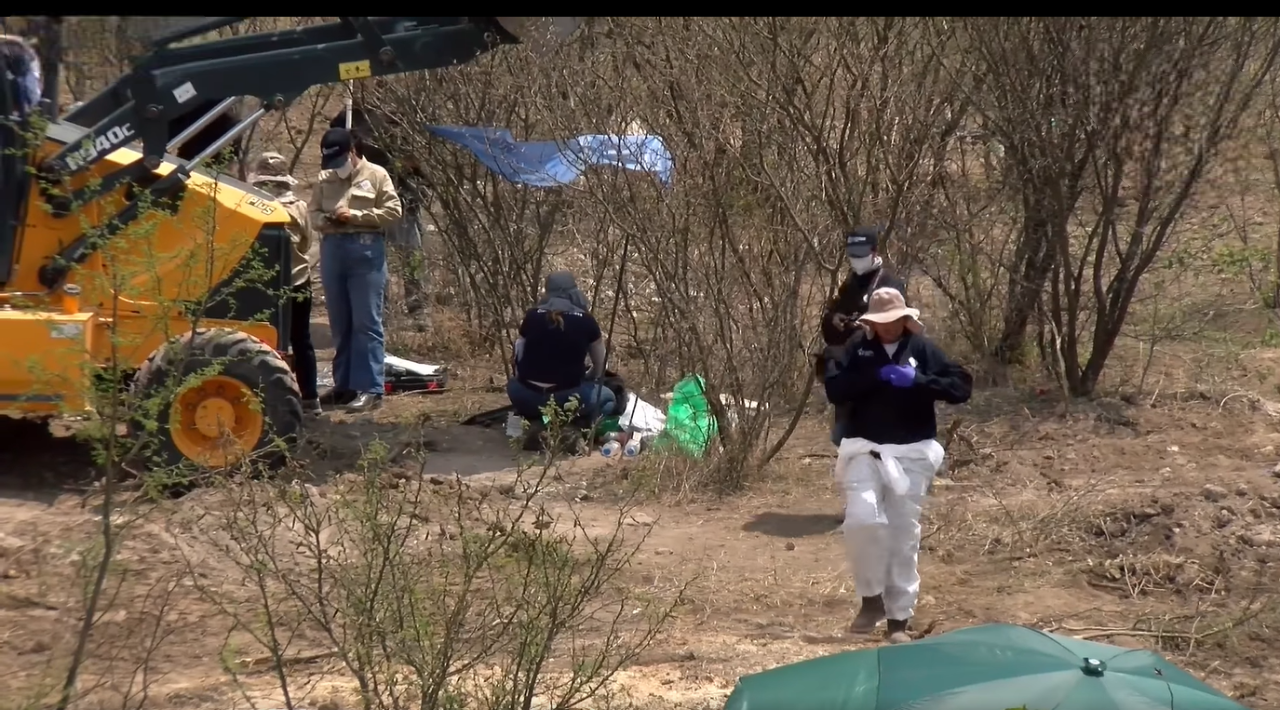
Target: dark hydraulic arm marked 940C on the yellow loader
275, 68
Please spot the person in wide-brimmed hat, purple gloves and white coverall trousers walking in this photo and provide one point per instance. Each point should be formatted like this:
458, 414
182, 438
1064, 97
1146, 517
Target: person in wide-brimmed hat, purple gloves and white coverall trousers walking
893, 378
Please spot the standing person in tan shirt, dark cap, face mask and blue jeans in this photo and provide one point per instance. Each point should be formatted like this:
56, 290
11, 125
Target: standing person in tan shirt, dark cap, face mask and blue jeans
353, 205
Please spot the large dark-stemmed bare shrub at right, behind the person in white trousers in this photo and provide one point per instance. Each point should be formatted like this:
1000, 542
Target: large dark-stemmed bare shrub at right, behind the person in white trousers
1109, 129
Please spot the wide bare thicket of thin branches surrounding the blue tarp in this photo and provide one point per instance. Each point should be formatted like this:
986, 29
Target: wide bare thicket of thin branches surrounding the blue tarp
783, 140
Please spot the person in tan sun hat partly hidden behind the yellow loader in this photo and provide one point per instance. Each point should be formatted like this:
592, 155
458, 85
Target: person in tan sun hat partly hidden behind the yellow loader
272, 176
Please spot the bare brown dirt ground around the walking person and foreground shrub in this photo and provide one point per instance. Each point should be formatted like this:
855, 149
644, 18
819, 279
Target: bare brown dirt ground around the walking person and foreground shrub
1149, 524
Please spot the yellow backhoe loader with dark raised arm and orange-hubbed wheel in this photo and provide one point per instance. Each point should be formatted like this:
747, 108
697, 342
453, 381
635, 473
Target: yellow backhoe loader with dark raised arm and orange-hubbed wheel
106, 186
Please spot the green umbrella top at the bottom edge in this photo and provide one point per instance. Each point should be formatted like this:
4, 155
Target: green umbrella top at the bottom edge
994, 667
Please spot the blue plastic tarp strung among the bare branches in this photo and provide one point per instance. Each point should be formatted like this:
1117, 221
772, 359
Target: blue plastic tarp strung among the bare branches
559, 163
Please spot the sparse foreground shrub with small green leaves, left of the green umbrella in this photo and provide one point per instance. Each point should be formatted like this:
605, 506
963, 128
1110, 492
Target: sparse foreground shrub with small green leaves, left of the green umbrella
431, 593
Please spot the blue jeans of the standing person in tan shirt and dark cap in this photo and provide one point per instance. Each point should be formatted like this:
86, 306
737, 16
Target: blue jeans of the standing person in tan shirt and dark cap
354, 277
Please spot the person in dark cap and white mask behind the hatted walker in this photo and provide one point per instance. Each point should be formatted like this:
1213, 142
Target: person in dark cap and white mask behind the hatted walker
867, 274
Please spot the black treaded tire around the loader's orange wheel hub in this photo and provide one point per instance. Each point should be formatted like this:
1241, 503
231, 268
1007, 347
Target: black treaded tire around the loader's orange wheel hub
228, 354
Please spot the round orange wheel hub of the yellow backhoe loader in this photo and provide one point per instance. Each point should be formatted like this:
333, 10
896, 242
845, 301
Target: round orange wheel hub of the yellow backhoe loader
217, 422
